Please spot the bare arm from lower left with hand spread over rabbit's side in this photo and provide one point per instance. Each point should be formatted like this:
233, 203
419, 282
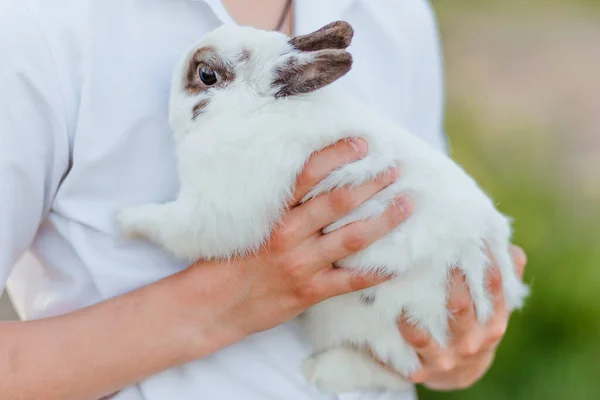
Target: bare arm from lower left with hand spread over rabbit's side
93, 352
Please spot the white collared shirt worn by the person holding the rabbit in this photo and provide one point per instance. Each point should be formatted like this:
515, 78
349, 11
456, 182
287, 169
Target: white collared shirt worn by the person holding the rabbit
83, 132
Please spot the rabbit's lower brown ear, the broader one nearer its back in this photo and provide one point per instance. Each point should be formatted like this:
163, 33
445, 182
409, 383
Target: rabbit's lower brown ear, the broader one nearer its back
306, 72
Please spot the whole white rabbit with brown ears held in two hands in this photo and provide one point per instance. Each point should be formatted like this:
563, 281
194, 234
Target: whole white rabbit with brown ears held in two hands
248, 108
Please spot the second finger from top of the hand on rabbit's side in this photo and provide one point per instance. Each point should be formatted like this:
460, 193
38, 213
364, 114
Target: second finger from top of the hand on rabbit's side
314, 215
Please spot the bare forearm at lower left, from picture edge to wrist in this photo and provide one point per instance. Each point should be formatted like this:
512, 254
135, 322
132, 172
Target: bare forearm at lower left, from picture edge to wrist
90, 353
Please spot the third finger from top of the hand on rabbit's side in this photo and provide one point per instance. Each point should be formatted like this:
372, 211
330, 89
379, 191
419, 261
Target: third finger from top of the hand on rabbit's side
359, 235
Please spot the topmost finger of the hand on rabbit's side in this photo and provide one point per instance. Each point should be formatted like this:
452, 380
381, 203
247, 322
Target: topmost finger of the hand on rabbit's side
322, 163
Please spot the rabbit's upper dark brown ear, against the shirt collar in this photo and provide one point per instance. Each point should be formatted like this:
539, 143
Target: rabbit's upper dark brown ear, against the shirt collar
336, 35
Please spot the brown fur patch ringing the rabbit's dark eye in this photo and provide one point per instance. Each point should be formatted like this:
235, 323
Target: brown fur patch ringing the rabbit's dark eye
208, 58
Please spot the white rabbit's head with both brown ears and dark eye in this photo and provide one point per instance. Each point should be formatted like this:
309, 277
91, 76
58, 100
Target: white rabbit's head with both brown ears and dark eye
236, 69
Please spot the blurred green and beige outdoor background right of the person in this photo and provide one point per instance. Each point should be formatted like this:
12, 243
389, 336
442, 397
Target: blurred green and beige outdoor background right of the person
523, 81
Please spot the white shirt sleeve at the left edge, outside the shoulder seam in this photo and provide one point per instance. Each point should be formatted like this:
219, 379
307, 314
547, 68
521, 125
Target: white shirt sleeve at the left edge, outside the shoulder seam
34, 146
